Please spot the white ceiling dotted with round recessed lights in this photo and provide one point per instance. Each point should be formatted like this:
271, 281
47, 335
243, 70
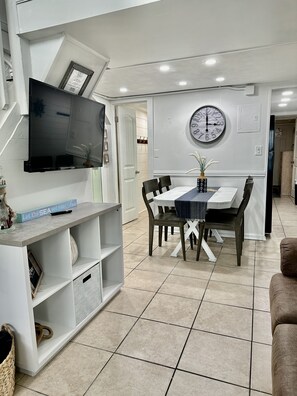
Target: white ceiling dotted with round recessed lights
253, 41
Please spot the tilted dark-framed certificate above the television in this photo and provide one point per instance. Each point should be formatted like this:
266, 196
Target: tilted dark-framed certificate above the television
76, 78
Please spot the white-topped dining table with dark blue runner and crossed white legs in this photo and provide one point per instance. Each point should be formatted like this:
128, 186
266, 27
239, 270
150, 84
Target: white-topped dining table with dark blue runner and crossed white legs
192, 205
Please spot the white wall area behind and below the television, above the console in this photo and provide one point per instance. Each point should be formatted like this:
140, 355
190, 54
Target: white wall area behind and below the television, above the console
27, 191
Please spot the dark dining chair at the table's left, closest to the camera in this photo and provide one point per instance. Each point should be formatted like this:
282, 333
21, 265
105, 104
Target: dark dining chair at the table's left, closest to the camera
150, 188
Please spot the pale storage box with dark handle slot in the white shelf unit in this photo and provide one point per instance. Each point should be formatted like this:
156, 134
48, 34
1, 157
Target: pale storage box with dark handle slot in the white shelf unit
87, 293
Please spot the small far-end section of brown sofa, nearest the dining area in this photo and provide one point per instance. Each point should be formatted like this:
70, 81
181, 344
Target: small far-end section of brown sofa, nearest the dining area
288, 250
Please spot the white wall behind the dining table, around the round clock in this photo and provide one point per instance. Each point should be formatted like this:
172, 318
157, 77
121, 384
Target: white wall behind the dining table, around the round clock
235, 151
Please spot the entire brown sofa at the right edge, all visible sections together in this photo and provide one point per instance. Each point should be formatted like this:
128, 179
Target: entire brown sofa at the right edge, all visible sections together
283, 310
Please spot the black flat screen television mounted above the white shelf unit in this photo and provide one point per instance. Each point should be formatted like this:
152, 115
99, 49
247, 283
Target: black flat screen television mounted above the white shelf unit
66, 131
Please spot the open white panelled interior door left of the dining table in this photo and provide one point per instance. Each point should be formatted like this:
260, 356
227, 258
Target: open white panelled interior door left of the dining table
127, 152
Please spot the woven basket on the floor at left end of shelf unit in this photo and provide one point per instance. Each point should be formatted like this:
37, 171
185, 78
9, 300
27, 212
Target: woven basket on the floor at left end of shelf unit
7, 368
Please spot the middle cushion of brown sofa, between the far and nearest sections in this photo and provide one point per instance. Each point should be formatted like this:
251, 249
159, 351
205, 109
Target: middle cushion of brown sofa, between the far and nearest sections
283, 300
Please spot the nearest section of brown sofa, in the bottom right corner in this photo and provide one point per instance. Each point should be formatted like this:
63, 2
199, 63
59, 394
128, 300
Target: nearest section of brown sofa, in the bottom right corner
284, 360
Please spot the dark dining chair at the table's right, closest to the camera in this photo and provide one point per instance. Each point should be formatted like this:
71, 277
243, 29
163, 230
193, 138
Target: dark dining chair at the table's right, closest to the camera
218, 219
